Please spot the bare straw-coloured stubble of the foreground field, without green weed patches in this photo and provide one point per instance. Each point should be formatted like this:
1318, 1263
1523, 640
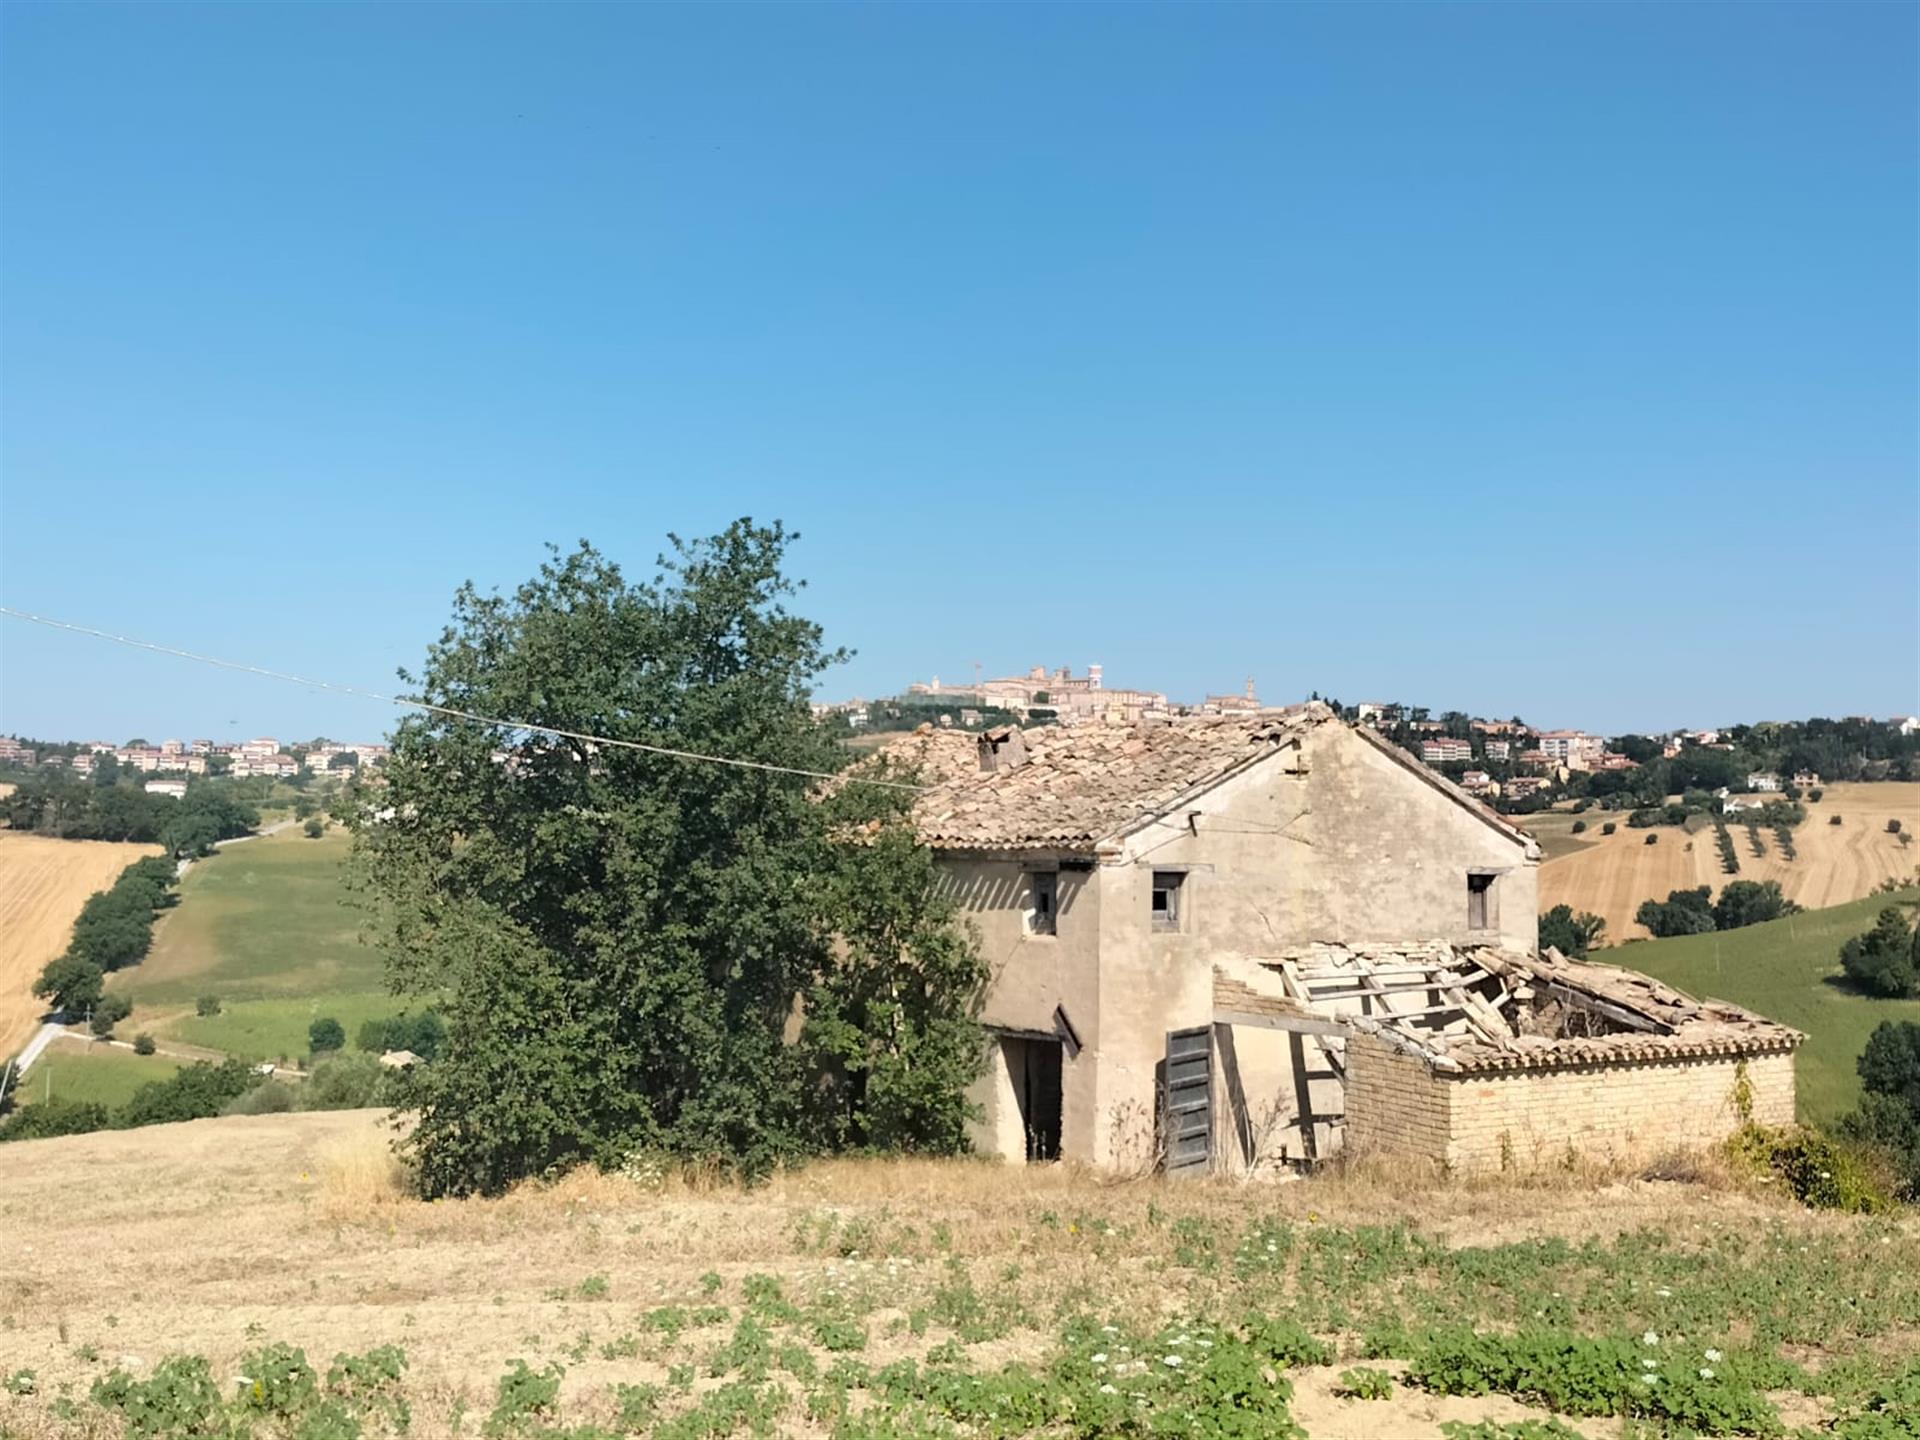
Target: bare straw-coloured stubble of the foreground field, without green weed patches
222, 1236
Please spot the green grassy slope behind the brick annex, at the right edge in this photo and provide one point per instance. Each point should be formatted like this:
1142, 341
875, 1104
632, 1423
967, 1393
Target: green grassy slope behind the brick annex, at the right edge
1787, 971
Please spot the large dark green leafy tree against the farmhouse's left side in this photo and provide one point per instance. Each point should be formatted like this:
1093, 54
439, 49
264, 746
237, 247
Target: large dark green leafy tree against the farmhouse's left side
642, 951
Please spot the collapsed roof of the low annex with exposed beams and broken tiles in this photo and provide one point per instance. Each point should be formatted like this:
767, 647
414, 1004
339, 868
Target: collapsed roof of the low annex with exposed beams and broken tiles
1481, 1009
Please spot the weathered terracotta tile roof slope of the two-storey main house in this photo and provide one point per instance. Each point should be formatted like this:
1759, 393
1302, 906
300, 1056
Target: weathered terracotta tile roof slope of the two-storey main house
1088, 784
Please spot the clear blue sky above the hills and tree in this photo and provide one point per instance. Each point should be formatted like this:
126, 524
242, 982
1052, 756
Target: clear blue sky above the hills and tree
1512, 358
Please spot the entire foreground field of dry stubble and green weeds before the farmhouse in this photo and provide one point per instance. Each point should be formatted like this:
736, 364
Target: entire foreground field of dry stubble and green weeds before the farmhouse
882, 1299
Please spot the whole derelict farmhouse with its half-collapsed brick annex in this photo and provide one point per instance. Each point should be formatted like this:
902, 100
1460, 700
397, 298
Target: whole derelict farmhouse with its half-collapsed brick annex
1259, 940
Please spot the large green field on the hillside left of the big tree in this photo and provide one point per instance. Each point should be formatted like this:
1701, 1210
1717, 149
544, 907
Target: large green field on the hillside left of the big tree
270, 930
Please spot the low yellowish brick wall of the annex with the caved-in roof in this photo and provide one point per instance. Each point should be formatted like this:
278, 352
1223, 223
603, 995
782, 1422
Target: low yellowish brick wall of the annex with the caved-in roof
1533, 1116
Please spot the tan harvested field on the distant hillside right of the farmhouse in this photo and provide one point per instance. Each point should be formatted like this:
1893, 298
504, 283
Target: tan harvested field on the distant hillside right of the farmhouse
1612, 875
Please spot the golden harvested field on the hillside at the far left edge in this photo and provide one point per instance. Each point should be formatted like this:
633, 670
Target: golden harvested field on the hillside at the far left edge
43, 886
